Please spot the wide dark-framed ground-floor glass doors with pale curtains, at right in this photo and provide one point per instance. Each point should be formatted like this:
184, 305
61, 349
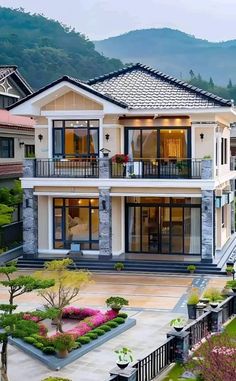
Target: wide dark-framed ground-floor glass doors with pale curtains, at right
163, 225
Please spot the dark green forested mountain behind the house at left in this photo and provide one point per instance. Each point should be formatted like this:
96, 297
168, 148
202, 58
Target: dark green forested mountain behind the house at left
44, 49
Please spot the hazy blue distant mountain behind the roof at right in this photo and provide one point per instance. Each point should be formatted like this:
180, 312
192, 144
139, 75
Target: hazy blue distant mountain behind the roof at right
175, 53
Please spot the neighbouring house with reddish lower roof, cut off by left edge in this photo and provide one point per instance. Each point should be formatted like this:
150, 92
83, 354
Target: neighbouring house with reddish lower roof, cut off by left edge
16, 133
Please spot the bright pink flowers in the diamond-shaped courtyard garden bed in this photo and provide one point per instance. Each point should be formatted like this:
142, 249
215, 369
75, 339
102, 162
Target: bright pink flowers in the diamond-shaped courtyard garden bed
92, 319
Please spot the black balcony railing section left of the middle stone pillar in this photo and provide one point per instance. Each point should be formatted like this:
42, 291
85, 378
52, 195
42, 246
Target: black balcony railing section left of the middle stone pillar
82, 168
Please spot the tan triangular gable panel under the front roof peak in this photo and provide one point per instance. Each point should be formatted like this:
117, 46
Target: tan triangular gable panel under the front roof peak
72, 101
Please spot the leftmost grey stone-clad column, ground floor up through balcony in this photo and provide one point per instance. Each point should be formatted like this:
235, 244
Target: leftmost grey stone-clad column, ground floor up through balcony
30, 214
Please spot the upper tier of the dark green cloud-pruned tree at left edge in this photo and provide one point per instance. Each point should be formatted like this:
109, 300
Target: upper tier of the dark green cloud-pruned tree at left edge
22, 284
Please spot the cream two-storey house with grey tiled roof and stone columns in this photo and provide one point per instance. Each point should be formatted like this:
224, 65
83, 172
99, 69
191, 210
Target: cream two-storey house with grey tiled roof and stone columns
173, 196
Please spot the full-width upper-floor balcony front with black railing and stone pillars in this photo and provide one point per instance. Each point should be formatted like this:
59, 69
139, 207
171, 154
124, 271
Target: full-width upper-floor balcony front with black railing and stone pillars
133, 169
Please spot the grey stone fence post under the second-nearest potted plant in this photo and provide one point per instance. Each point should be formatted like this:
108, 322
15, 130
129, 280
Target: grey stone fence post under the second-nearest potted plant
181, 345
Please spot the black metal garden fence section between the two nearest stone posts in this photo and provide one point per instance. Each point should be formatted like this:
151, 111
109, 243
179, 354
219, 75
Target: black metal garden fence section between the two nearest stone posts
151, 365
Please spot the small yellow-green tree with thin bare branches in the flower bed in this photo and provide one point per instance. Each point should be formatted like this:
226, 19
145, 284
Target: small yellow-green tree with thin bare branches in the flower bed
67, 285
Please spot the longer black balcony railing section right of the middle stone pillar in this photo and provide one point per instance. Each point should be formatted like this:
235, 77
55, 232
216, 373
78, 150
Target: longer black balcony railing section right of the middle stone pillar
158, 169
